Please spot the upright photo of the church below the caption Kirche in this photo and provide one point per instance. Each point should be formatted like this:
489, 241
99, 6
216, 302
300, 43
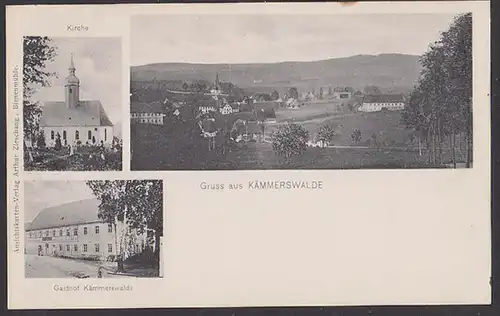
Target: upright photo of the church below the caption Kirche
72, 96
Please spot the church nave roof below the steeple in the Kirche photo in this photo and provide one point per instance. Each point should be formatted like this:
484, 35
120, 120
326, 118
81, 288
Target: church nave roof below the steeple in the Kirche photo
87, 113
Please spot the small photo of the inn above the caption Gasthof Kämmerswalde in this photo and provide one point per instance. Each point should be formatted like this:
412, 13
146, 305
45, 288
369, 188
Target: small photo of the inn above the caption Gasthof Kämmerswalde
93, 229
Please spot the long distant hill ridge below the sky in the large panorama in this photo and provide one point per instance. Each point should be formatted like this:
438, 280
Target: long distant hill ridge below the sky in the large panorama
387, 71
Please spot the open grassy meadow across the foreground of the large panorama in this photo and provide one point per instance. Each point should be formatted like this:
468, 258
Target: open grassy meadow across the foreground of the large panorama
180, 147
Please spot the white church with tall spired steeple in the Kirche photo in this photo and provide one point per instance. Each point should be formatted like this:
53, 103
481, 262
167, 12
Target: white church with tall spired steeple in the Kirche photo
75, 121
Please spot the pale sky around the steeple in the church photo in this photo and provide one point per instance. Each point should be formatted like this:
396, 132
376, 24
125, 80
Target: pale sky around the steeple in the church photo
98, 63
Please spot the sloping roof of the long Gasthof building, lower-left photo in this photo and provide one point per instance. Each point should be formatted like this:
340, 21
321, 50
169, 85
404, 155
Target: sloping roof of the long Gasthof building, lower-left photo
74, 213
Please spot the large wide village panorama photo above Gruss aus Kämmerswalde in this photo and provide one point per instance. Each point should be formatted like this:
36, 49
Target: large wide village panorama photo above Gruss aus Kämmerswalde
248, 92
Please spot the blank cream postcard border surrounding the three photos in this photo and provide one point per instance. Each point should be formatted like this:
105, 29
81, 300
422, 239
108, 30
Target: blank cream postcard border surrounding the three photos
430, 244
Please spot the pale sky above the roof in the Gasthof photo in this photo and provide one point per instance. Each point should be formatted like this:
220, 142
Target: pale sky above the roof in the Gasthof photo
39, 195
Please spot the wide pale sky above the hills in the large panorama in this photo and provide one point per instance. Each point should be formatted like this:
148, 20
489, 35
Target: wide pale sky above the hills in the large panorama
277, 38
